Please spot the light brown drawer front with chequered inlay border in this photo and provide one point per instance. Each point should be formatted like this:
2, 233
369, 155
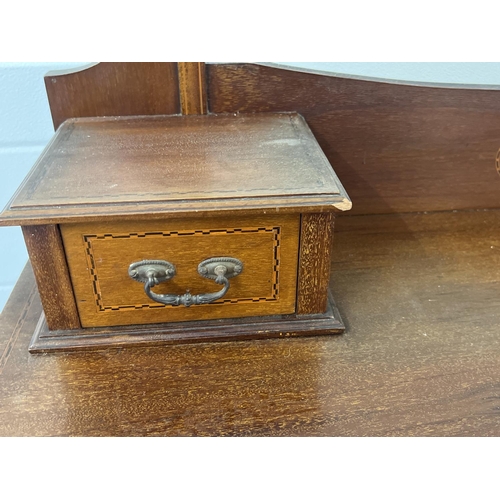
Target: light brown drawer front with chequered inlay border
99, 256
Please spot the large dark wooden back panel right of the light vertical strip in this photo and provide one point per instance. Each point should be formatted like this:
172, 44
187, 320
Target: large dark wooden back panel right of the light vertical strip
396, 148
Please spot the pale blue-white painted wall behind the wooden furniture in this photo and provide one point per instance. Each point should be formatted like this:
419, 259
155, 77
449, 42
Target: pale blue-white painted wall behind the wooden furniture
26, 126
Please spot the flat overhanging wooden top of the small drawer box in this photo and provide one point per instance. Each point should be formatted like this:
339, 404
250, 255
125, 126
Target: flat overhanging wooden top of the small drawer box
157, 166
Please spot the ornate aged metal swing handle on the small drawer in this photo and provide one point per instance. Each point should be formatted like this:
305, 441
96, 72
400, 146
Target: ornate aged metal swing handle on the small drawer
153, 272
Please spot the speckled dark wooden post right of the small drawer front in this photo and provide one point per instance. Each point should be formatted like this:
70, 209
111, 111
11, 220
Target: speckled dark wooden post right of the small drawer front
316, 238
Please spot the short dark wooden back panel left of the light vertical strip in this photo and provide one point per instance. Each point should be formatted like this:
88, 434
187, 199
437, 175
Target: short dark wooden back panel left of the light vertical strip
114, 89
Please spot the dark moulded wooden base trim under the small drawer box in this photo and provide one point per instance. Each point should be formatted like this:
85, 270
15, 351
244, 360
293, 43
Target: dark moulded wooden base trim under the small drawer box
262, 327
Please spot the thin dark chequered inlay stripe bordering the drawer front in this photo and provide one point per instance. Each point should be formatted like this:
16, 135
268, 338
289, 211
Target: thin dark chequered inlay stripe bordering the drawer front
199, 232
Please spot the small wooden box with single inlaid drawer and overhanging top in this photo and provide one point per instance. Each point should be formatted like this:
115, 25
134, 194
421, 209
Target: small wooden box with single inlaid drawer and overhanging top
180, 228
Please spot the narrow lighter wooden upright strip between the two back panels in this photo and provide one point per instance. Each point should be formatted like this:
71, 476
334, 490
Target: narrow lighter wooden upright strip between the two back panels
192, 88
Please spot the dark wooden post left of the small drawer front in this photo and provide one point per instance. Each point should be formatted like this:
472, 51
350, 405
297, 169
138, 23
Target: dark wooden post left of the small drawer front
47, 257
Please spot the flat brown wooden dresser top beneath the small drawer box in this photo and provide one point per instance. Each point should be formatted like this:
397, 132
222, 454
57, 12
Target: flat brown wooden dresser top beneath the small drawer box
420, 356
